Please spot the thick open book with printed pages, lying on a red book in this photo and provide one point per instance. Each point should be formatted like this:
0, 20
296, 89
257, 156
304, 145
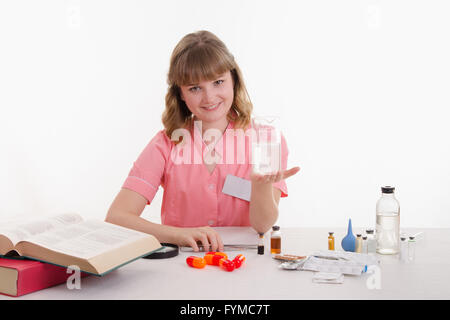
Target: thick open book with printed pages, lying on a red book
96, 247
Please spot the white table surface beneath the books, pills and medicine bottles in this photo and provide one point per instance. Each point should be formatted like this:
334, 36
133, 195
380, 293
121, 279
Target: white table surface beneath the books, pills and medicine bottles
428, 277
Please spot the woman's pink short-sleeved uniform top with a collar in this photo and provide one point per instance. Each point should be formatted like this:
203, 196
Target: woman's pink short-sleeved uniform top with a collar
192, 195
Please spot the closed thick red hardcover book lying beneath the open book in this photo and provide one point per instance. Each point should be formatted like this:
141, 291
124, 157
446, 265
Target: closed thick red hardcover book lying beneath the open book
19, 277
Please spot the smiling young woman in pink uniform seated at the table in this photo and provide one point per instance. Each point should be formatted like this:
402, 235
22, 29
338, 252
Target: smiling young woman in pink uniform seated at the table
206, 94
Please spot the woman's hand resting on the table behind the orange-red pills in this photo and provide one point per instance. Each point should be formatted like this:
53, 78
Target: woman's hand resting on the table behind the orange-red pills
205, 236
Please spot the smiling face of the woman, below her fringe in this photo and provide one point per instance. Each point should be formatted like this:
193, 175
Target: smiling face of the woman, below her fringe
210, 100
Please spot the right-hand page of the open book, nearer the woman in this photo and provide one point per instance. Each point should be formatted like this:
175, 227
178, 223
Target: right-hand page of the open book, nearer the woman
87, 239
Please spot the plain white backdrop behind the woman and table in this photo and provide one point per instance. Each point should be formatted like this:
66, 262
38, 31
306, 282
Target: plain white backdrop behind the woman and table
362, 88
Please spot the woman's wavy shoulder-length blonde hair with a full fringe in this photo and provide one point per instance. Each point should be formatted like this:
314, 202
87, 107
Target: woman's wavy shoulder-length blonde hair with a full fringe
197, 57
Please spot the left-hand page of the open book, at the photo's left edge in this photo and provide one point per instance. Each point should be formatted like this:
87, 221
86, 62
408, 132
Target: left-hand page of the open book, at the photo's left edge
18, 230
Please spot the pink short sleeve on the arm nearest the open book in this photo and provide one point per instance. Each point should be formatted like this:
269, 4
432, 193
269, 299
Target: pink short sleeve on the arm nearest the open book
147, 172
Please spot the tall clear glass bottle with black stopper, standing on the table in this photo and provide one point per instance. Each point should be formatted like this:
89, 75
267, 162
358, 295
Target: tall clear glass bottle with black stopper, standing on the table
388, 222
